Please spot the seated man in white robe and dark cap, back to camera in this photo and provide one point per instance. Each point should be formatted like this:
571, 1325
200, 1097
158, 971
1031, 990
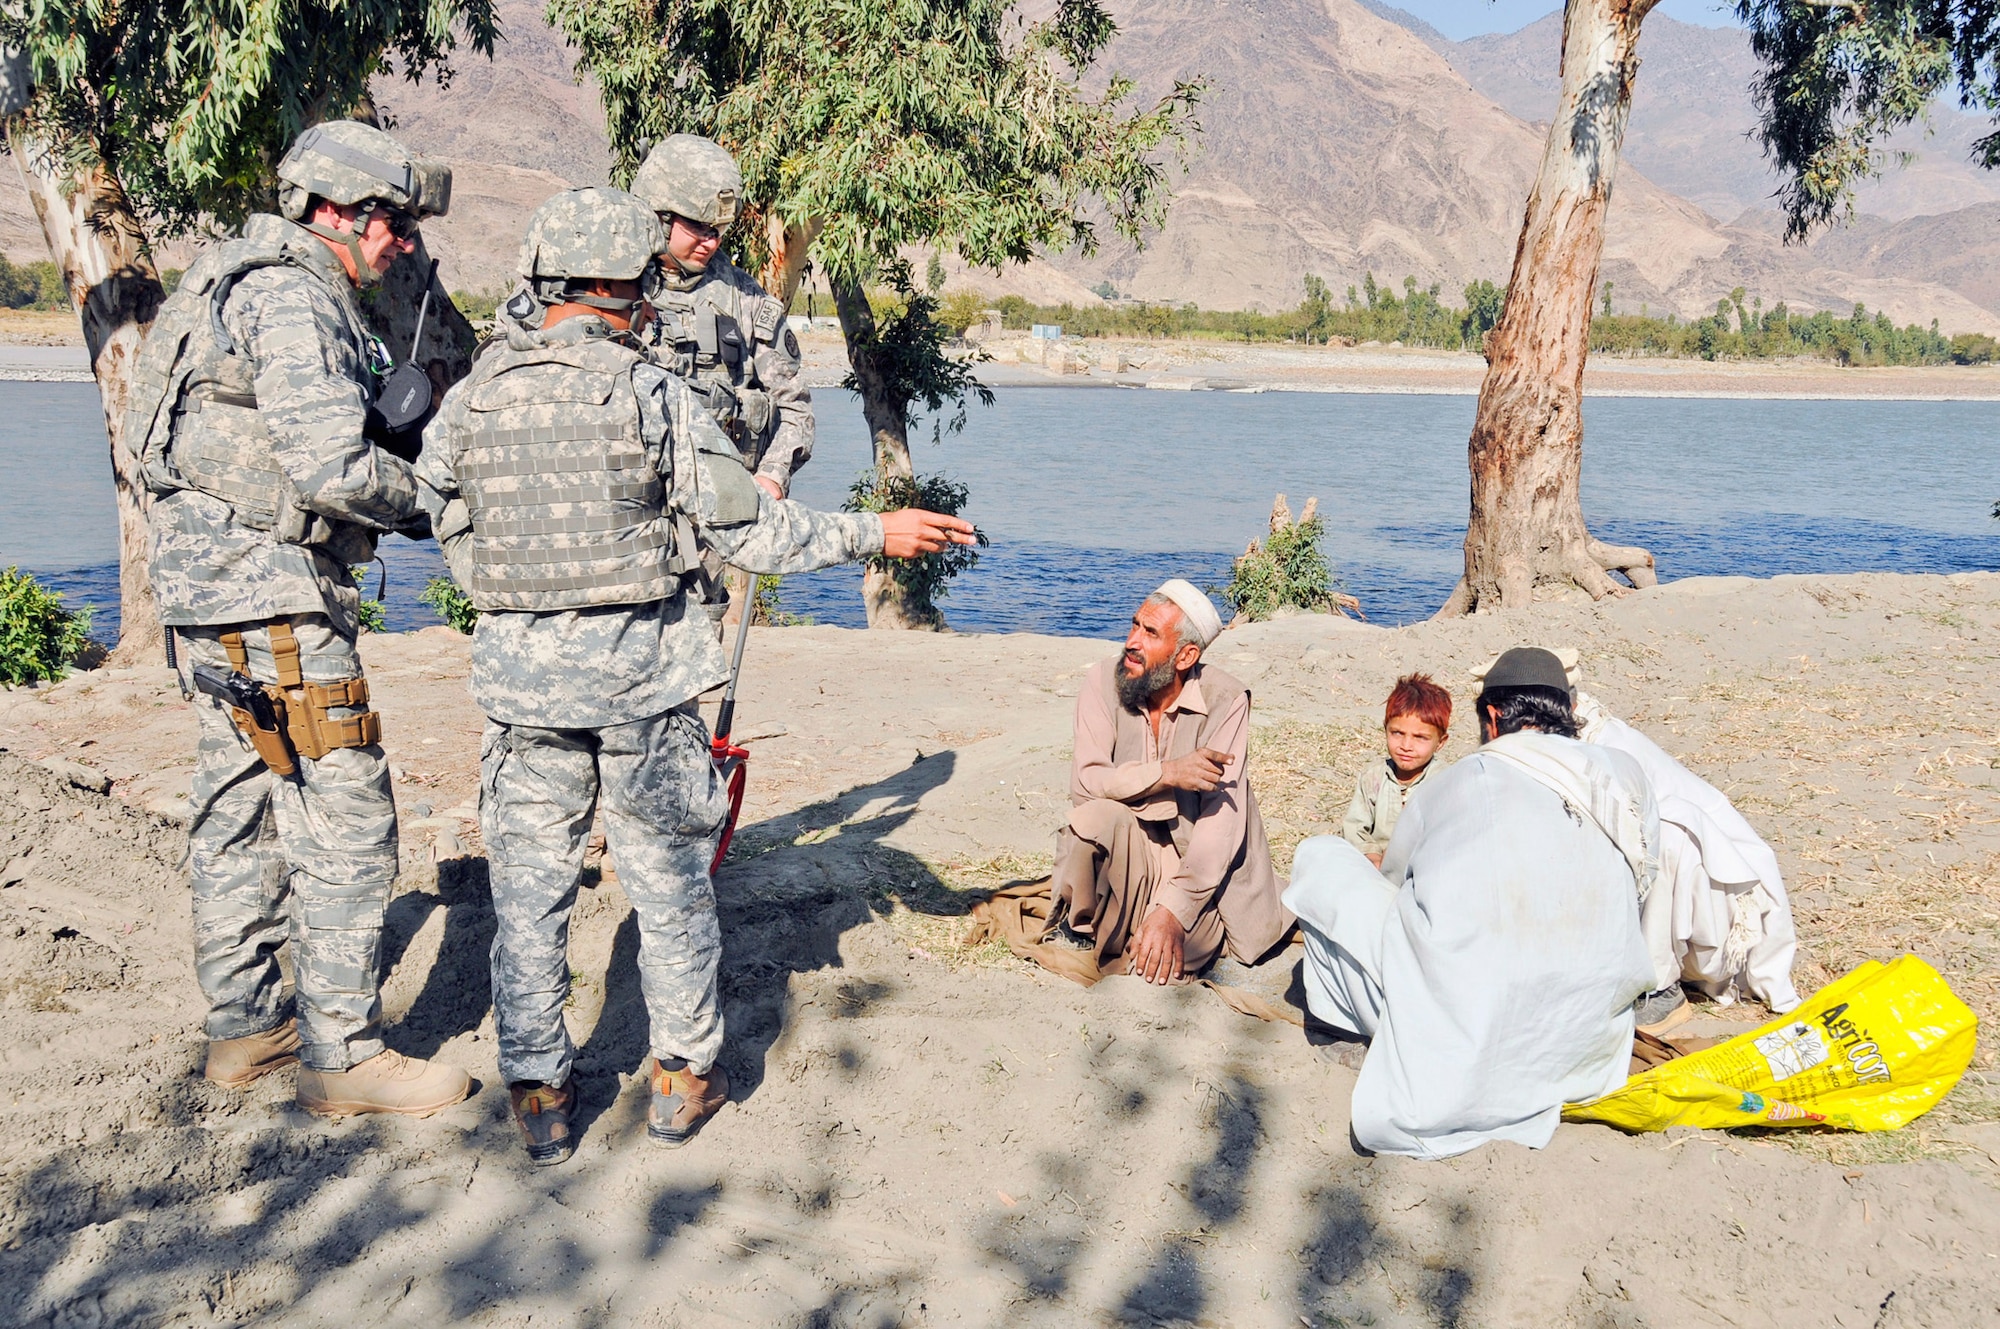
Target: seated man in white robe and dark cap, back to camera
1495, 960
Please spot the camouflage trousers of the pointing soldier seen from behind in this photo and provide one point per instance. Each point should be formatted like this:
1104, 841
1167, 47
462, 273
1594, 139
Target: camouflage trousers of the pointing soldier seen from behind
663, 814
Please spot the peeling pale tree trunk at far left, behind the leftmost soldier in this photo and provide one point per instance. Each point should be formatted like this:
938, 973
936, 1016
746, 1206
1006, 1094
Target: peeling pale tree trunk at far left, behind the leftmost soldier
99, 245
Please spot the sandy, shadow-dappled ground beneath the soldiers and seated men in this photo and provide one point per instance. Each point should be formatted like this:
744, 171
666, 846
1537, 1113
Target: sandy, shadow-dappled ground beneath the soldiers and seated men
927, 1134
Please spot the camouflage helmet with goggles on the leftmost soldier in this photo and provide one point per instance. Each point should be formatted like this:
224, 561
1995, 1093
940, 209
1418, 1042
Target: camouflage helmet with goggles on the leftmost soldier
353, 163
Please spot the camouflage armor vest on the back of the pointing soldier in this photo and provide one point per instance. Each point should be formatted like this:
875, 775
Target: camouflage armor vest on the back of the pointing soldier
567, 507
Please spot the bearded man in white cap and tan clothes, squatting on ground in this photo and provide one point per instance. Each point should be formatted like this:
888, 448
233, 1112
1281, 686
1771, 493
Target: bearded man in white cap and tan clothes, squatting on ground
1163, 864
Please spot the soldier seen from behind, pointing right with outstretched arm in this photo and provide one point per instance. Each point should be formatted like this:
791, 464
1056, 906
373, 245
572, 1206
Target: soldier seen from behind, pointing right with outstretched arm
575, 485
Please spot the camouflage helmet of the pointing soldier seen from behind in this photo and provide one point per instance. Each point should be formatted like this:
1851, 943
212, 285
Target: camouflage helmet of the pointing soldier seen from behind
591, 233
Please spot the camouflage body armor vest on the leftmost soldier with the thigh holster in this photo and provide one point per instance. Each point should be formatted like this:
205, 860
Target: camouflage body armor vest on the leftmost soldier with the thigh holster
195, 417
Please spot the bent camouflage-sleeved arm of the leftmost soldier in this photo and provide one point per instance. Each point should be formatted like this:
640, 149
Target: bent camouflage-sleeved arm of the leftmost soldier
311, 399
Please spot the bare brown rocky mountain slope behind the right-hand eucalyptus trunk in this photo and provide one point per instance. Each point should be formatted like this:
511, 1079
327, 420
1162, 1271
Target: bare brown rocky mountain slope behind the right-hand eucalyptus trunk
1339, 143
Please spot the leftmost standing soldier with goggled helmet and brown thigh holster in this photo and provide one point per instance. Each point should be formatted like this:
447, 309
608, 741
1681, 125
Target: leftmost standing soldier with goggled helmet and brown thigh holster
251, 413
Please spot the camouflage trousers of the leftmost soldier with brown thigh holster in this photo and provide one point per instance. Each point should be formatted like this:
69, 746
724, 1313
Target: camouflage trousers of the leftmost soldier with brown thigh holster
305, 860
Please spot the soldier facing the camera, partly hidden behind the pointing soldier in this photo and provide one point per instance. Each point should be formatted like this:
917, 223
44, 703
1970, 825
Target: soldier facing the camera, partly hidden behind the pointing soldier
717, 327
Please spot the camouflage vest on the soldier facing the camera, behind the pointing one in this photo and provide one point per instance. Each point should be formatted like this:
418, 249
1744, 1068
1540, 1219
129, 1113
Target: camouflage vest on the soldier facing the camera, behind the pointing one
709, 335
